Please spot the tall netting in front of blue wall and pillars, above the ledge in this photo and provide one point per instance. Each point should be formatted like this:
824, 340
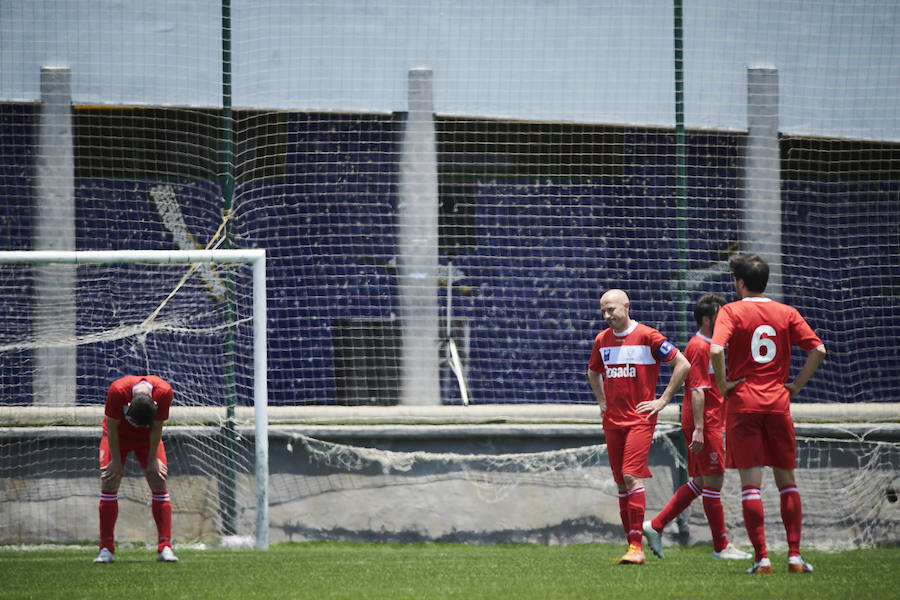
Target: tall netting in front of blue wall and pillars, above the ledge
550, 150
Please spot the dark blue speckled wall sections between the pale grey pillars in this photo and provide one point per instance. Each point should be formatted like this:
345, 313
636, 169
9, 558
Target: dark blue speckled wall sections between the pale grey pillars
544, 251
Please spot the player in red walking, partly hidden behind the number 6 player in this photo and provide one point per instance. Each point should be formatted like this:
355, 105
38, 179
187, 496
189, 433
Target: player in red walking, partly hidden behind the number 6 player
702, 420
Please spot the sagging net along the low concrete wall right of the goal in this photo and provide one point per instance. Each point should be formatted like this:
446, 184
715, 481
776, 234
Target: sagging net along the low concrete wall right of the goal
552, 485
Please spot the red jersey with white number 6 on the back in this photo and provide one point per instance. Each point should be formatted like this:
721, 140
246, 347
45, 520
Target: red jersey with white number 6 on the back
759, 333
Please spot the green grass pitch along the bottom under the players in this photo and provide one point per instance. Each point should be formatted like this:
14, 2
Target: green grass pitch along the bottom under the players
349, 570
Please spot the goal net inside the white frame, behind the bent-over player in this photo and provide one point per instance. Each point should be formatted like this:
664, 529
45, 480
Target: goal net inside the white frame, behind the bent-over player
72, 323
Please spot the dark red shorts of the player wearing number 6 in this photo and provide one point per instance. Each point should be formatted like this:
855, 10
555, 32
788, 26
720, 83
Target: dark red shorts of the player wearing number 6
760, 440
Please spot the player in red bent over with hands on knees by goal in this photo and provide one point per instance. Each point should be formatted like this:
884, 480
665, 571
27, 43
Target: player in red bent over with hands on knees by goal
136, 407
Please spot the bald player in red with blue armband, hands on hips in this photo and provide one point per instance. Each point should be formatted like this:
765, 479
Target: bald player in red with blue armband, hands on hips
623, 371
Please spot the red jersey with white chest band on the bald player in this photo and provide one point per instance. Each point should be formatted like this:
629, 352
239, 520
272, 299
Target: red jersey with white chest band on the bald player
629, 362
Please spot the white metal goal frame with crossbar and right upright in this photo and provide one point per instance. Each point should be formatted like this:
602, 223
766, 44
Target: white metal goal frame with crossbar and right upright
256, 258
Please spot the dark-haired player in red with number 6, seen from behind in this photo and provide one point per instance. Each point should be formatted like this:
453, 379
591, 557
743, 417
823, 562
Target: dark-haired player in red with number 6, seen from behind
759, 333
